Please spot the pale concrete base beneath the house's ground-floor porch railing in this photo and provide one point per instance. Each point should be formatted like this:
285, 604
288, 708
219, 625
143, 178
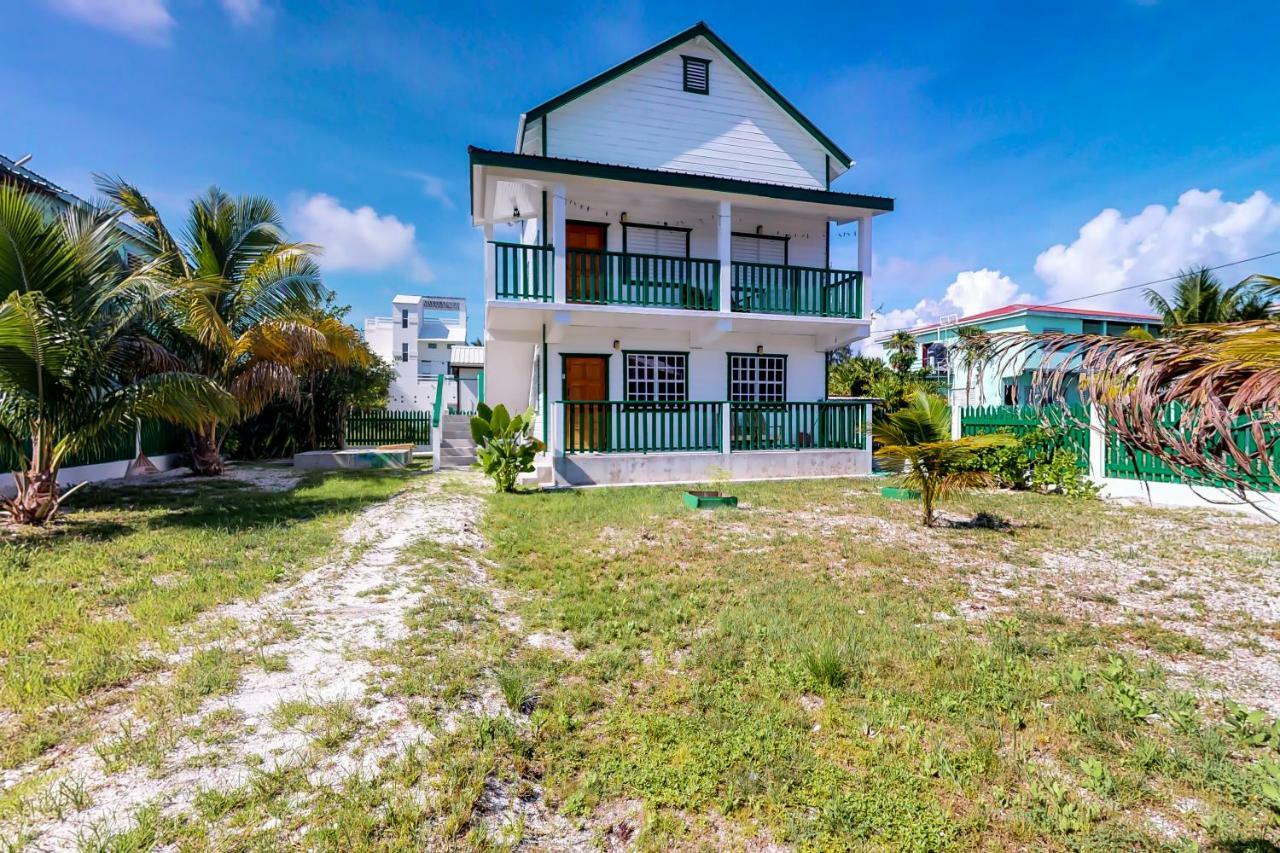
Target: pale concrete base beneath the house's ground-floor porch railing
629, 469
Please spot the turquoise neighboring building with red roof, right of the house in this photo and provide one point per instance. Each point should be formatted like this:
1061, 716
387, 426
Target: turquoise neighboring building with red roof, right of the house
1007, 381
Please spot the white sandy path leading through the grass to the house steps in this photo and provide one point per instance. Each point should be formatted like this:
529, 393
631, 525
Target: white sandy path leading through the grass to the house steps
339, 612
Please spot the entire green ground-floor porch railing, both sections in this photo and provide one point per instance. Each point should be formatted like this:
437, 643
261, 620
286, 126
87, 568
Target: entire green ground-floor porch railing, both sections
642, 427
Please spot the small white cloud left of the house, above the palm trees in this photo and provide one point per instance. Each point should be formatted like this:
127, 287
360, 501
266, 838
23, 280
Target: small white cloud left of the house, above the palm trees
360, 239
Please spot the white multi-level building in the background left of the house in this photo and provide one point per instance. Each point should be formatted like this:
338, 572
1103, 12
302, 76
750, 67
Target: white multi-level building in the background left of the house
426, 340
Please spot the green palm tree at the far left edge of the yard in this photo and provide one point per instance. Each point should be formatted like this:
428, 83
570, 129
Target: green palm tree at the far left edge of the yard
76, 363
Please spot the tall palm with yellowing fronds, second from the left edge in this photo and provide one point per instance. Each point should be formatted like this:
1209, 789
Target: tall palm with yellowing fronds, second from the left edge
241, 307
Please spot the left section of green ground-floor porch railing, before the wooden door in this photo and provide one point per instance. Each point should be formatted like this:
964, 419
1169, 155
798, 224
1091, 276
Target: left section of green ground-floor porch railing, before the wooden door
642, 427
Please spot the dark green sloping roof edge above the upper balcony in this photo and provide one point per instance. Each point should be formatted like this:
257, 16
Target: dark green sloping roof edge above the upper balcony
660, 177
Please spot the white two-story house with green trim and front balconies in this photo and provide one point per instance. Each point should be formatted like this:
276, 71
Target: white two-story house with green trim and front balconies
664, 295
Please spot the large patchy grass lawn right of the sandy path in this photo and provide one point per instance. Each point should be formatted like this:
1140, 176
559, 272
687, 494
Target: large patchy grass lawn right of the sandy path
817, 670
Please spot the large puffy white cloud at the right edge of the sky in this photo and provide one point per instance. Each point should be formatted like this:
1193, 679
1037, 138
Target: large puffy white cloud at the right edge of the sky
1114, 252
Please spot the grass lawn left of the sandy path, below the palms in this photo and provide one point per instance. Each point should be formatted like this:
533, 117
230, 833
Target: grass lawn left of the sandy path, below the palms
102, 597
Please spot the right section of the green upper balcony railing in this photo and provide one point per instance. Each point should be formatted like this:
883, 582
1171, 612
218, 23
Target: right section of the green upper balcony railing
811, 291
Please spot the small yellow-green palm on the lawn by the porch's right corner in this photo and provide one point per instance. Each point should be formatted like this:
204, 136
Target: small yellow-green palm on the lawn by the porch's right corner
917, 441
